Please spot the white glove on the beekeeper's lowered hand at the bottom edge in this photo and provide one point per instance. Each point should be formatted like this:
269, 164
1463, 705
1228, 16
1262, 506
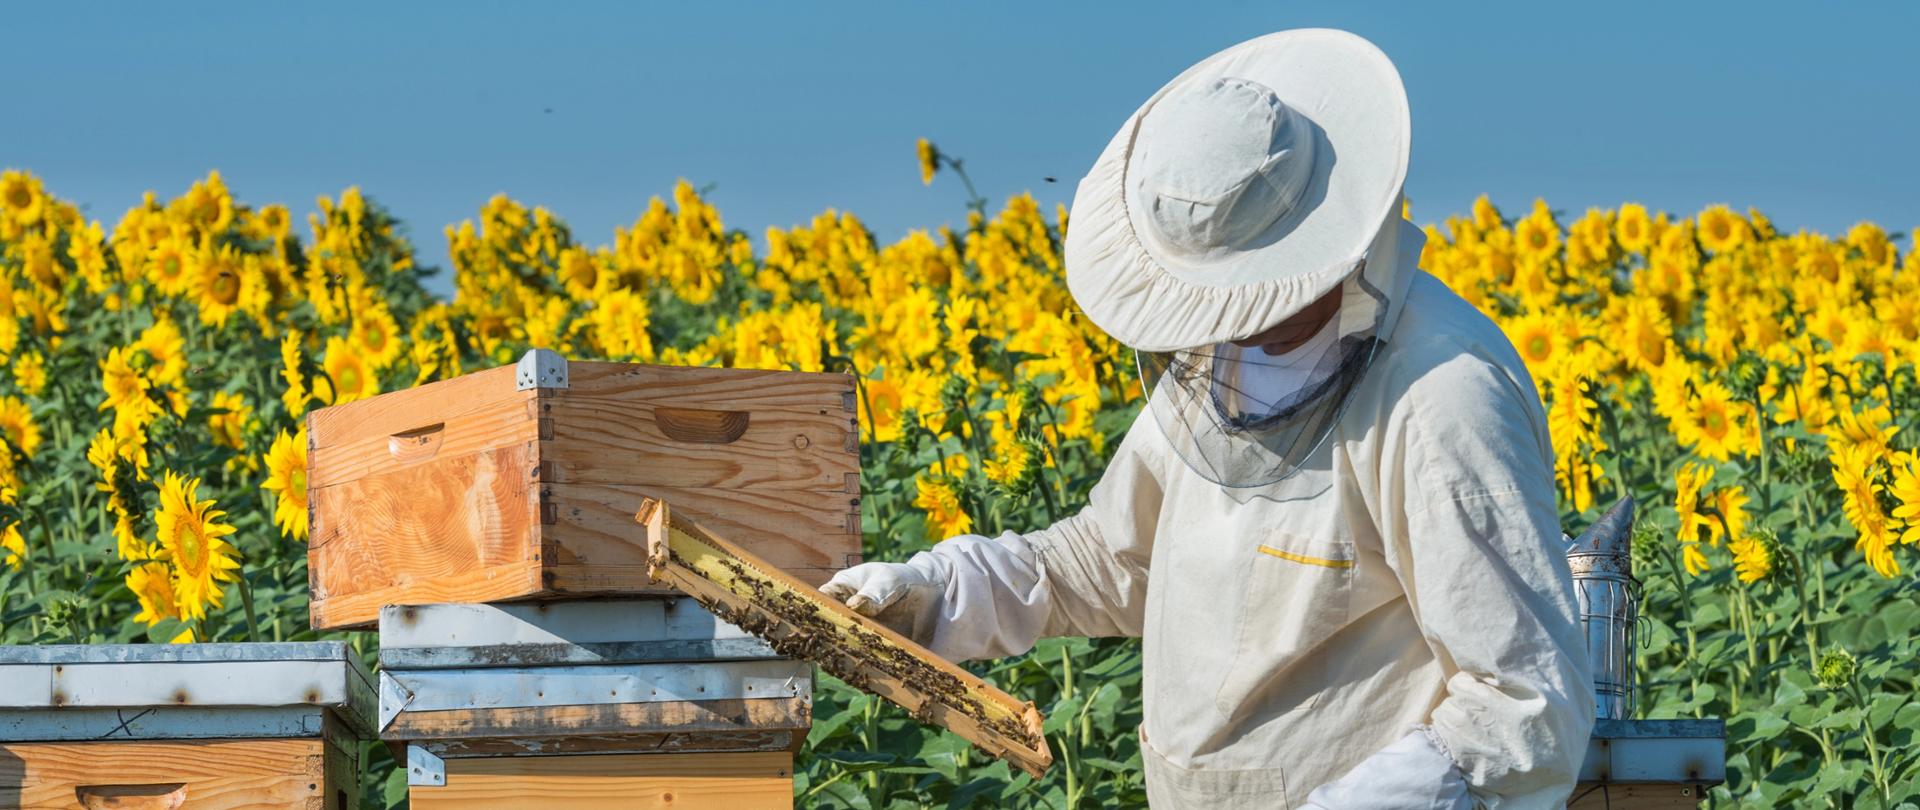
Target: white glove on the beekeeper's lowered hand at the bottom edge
1412, 774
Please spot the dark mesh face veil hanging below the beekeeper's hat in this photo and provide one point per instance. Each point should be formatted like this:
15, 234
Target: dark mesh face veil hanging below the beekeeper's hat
1241, 417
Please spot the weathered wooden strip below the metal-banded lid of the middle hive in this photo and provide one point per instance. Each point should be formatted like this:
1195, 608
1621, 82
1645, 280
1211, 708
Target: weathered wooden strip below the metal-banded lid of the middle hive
583, 721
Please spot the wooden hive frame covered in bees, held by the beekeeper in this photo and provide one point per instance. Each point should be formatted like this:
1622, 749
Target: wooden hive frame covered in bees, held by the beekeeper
804, 623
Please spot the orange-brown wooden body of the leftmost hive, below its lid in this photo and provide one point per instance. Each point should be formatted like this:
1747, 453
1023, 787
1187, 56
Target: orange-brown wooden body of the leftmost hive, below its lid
258, 774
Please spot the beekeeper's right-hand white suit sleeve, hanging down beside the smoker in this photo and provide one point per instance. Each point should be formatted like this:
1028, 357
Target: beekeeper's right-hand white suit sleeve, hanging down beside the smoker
1470, 529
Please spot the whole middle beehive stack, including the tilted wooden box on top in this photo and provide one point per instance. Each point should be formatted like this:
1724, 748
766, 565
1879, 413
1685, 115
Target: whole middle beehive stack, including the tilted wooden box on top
527, 655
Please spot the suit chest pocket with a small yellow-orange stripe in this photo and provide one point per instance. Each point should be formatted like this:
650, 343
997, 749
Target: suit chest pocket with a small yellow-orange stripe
1293, 602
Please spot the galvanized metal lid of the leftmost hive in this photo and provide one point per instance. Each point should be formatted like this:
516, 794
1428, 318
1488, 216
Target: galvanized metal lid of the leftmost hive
62, 679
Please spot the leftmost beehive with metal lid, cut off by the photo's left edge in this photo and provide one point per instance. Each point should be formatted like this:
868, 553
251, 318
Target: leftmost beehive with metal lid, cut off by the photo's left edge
183, 727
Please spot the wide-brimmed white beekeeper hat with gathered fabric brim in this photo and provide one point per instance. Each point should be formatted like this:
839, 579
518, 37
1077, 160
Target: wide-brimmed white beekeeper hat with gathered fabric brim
1243, 191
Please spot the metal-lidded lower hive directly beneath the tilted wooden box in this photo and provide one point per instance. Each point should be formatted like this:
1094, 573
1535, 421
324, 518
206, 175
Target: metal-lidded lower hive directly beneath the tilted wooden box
587, 705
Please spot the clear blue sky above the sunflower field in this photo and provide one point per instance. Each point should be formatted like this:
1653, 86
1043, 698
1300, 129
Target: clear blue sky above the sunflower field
1810, 112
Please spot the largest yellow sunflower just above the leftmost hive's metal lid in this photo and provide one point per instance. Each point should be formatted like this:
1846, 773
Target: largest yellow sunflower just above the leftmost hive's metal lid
193, 538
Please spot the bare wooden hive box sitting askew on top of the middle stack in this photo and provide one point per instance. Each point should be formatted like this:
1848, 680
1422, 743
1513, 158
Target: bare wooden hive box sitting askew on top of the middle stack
521, 481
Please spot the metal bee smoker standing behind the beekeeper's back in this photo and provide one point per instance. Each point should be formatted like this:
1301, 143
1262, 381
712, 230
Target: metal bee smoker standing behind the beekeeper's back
1610, 606
